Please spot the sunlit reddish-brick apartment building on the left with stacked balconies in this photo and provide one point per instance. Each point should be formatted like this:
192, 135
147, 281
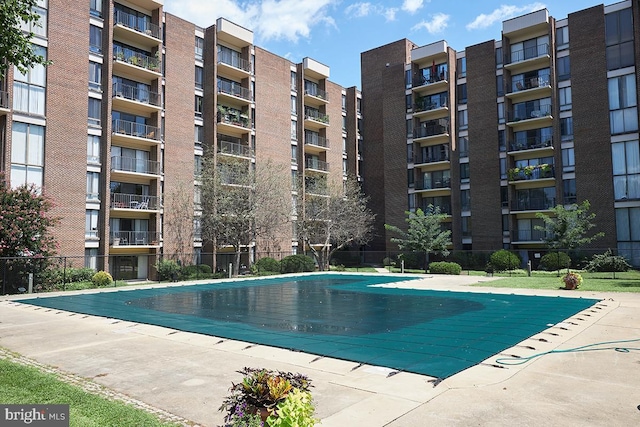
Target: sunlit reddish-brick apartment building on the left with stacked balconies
114, 130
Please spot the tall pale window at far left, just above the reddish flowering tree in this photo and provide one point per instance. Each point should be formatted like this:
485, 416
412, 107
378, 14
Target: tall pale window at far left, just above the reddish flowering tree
27, 154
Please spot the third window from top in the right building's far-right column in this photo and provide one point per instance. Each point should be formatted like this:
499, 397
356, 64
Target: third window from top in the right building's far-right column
626, 170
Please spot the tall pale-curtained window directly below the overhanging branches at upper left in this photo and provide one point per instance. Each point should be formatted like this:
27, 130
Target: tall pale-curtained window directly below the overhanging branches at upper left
29, 88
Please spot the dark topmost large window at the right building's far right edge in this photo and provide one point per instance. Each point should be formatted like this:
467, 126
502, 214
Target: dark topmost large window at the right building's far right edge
619, 39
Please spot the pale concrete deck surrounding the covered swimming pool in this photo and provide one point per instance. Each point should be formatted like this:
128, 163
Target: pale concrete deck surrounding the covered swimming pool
188, 374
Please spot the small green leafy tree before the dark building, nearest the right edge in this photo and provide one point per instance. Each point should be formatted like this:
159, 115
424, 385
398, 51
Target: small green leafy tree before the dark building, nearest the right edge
567, 228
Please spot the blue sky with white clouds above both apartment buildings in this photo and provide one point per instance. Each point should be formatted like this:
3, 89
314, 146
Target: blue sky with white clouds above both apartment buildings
335, 32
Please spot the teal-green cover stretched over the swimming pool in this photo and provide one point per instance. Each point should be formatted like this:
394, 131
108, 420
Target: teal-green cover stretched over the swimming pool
435, 333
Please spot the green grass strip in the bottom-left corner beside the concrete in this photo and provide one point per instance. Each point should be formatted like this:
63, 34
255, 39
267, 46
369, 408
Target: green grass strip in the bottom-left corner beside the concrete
21, 384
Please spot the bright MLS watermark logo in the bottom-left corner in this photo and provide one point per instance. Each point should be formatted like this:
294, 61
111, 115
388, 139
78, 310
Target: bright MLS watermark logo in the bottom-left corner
34, 415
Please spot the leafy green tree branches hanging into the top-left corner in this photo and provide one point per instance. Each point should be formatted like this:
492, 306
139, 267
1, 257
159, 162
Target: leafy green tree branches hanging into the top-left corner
15, 43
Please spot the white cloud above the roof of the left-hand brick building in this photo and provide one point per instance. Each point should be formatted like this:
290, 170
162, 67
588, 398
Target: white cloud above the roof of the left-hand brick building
269, 19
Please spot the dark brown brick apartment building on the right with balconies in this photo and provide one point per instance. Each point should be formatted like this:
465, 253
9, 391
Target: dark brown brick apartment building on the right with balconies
502, 130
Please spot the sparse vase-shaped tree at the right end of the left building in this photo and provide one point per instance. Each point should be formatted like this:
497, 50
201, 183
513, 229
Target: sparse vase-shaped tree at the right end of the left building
328, 223
